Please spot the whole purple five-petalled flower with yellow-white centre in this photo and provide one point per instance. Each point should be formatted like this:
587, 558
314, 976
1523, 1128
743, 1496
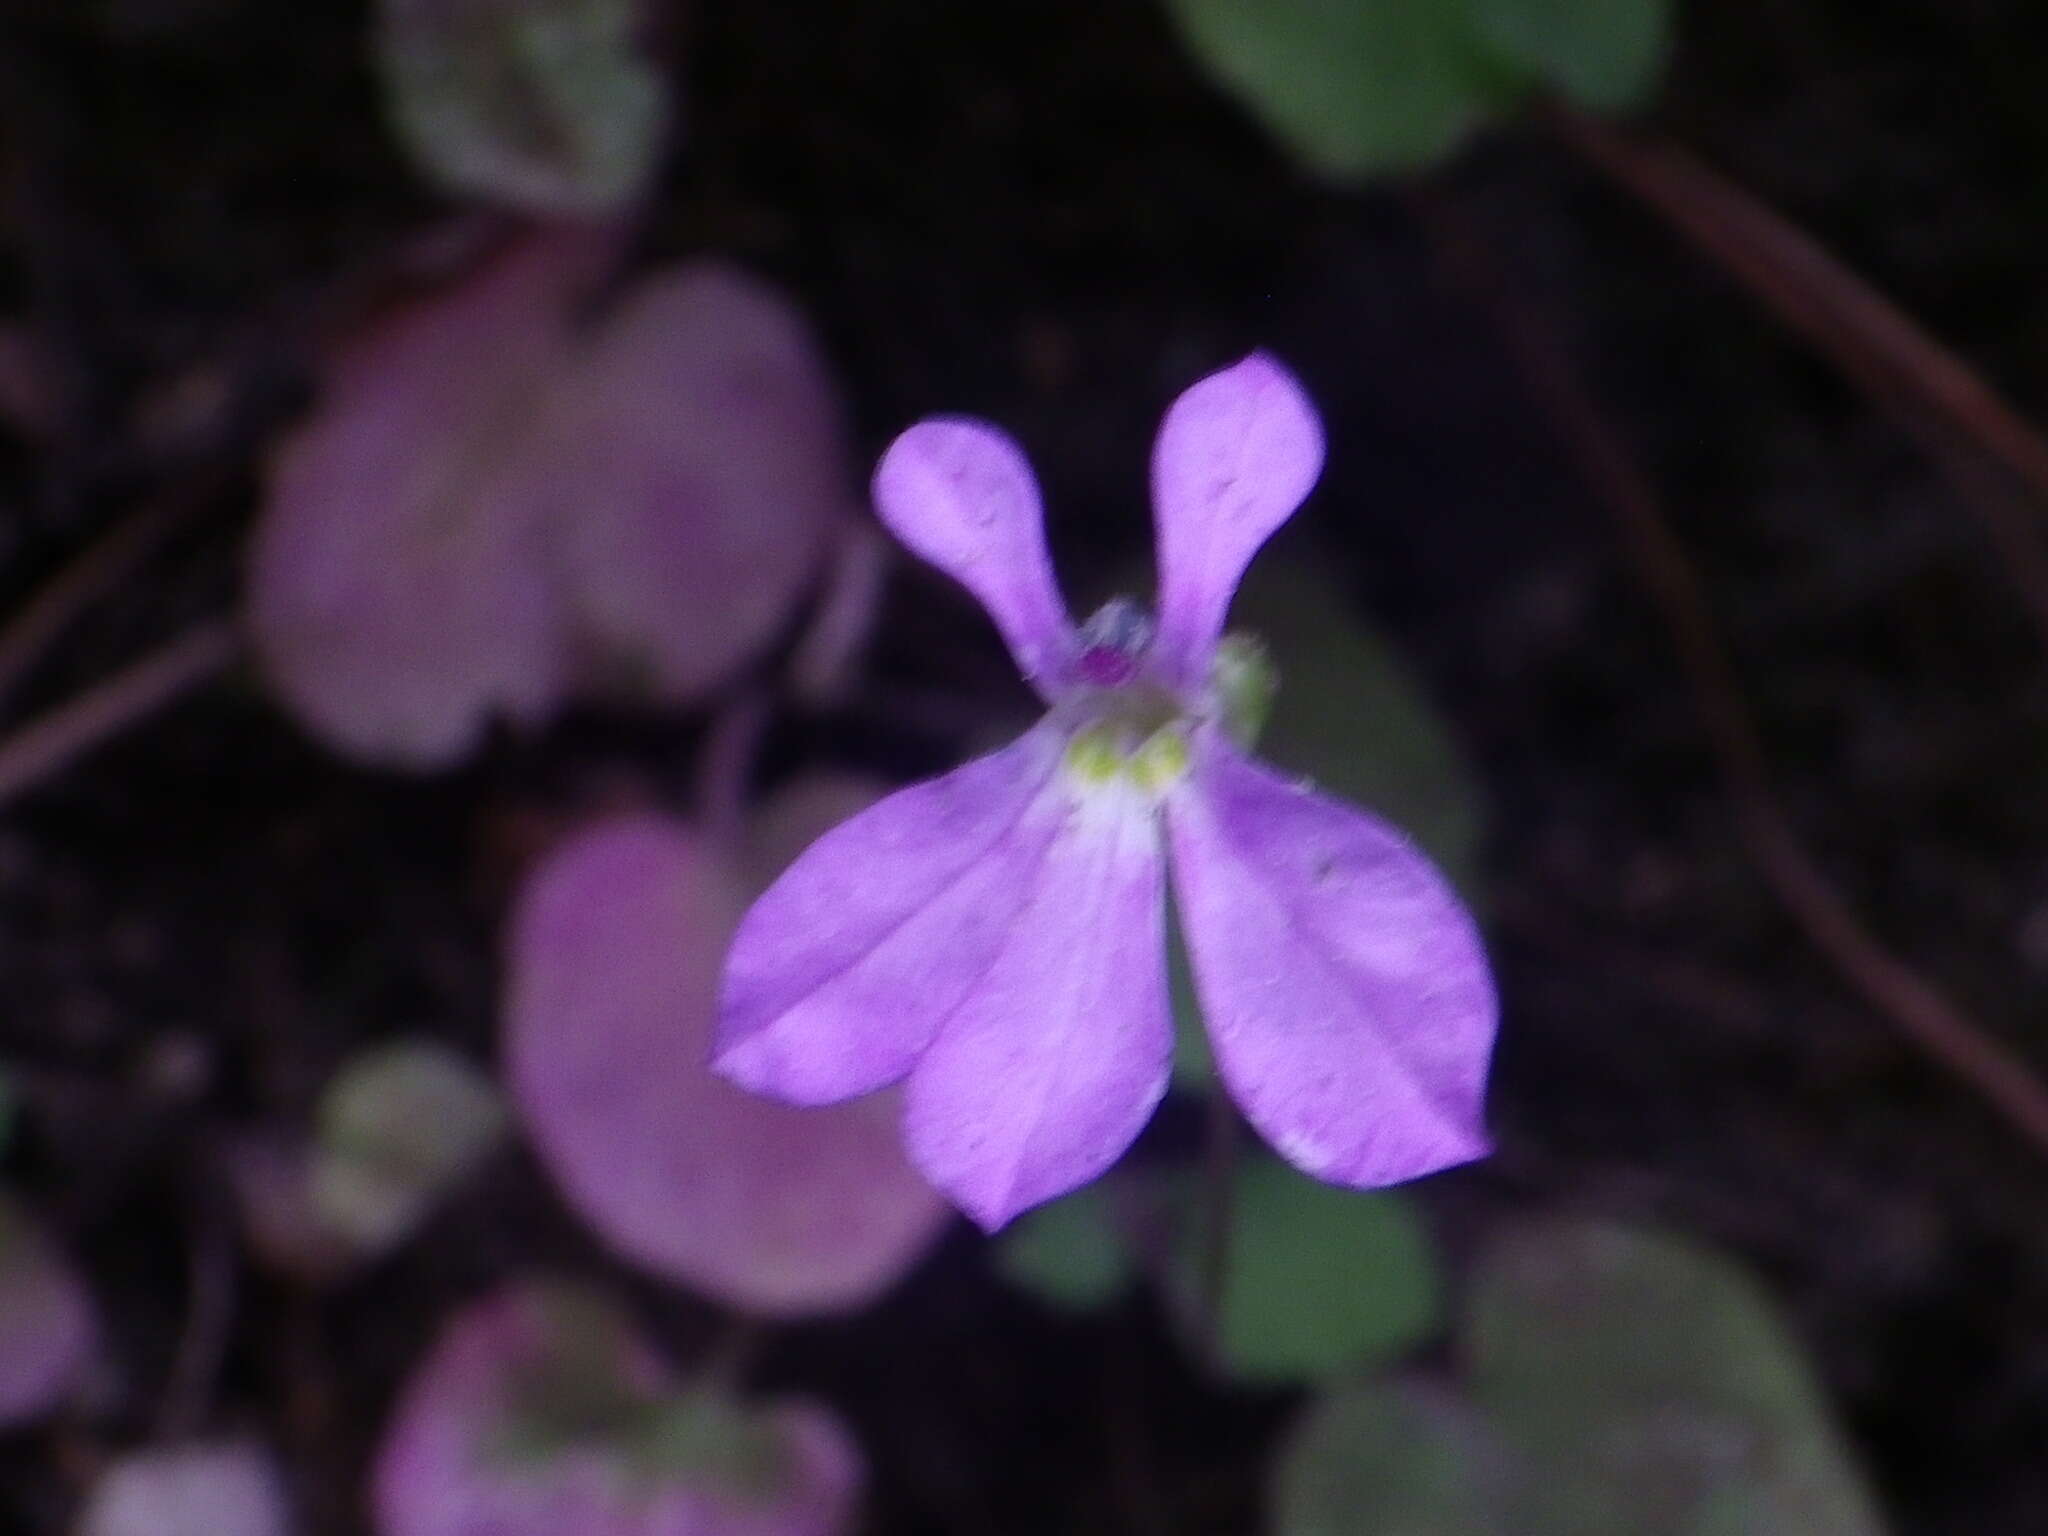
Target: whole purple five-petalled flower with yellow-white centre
998, 935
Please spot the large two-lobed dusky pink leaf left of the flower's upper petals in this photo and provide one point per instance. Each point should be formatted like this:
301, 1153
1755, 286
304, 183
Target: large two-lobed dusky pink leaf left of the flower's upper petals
499, 505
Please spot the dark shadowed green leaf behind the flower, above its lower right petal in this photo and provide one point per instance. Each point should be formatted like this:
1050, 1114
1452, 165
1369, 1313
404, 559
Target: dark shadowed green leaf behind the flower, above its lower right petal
1351, 718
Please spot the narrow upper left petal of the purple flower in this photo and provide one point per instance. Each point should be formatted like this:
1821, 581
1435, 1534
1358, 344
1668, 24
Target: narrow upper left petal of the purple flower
962, 497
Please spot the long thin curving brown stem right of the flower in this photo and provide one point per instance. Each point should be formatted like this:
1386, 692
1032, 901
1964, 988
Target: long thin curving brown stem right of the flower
1920, 1011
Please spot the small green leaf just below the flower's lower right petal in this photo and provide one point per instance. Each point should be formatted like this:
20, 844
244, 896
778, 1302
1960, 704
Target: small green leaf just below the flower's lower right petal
1320, 1281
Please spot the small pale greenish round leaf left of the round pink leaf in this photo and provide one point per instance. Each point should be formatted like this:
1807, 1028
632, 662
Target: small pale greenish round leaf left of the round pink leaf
398, 1127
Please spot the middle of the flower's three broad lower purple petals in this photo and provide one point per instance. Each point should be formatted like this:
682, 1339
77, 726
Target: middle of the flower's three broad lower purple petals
1060, 1056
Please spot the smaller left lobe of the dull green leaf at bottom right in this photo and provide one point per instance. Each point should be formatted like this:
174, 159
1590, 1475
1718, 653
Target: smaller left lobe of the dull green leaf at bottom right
1392, 1459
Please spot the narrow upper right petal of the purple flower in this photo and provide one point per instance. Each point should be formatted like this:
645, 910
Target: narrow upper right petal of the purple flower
1236, 456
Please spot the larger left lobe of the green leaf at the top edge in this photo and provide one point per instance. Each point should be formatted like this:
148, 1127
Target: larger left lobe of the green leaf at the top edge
1353, 87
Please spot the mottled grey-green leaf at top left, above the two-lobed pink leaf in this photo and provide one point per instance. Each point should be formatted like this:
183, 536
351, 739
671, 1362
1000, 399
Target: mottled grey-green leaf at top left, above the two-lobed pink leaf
548, 105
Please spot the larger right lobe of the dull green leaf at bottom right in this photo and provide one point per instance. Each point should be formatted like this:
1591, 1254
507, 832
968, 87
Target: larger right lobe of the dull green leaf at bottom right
1660, 1392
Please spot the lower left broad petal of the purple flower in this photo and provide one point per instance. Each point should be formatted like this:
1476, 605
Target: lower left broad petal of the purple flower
845, 970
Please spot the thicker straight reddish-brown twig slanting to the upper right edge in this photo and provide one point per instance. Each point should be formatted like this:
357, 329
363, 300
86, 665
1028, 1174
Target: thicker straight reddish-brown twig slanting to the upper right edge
1932, 392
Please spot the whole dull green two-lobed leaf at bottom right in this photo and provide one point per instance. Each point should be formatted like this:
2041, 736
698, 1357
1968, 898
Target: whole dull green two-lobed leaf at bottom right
1619, 1383
